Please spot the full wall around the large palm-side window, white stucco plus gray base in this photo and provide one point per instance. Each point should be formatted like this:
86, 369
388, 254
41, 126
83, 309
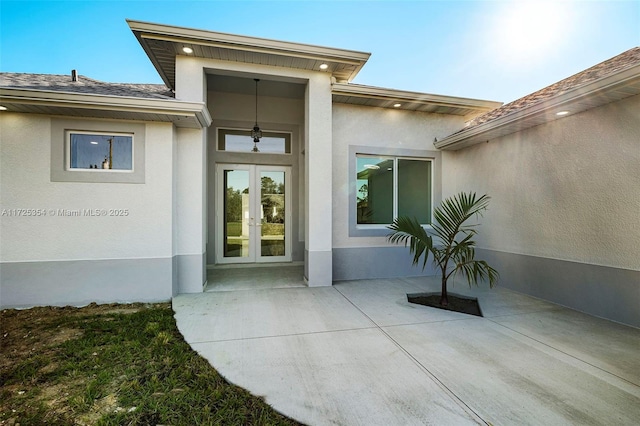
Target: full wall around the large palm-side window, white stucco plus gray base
400, 131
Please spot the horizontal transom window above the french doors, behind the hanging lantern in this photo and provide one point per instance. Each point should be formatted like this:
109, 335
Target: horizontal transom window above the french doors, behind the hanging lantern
241, 141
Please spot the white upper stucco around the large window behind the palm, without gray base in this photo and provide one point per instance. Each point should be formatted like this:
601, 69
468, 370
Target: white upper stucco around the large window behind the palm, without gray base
384, 128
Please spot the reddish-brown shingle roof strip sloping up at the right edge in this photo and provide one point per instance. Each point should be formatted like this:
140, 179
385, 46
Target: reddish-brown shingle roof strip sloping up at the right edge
616, 64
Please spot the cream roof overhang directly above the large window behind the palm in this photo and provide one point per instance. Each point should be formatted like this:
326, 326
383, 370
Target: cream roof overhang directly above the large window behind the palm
356, 94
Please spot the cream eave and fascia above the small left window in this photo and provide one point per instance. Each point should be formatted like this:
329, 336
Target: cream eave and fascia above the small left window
182, 114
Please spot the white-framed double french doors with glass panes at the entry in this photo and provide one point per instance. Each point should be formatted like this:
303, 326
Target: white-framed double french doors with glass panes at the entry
253, 213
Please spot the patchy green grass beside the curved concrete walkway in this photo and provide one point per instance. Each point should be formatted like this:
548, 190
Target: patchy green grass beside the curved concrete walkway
127, 365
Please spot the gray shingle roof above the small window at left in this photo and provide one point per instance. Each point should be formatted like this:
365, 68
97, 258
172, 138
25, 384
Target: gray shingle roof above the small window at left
86, 85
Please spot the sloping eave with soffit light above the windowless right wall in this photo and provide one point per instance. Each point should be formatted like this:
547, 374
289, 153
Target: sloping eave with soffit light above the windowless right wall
611, 88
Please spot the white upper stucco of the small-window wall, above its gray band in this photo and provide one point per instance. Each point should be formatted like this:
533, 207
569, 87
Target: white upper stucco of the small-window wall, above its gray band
25, 157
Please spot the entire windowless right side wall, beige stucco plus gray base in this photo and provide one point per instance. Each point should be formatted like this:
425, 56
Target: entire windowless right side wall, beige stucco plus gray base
563, 222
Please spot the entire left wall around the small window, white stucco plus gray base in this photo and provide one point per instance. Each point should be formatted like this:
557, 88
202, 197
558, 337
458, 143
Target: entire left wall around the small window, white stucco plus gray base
65, 255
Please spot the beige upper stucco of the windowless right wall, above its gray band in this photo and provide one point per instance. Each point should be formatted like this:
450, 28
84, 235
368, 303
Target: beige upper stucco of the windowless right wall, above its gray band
567, 190
